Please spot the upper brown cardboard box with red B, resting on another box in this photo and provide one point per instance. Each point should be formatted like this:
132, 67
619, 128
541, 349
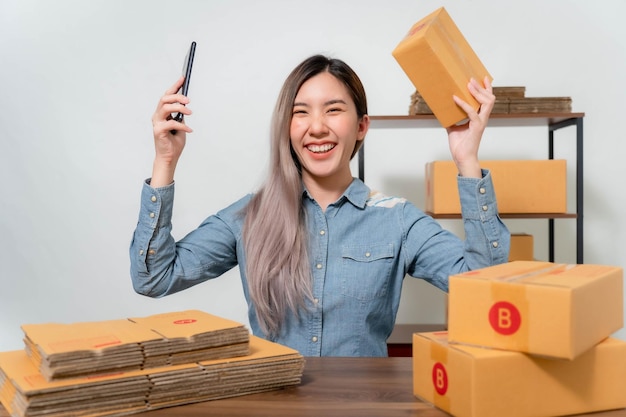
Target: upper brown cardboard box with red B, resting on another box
543, 308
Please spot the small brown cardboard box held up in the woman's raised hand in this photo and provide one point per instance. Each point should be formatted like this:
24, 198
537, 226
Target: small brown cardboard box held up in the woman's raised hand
440, 62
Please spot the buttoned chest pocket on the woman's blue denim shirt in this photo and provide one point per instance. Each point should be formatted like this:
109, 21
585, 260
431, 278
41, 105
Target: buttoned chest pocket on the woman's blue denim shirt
366, 270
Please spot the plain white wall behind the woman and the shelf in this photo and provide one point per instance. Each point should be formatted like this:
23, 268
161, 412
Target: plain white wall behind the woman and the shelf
80, 81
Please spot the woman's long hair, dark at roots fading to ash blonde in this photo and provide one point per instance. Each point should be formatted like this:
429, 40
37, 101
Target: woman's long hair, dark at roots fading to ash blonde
275, 231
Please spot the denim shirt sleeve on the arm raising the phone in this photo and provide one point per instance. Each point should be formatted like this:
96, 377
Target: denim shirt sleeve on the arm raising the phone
159, 265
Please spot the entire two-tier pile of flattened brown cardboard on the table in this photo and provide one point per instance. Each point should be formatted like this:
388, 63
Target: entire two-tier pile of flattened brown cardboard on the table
177, 366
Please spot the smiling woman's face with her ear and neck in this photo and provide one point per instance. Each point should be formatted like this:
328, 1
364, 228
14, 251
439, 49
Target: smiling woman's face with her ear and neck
324, 131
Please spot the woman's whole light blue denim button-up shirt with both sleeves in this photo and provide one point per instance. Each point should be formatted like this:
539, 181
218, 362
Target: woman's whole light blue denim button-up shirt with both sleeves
361, 248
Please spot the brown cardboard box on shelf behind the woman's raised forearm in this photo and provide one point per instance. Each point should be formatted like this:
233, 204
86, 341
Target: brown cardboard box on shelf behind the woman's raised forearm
522, 186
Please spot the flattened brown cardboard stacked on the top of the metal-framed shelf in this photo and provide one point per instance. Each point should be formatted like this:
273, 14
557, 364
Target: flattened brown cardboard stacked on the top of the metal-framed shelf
509, 100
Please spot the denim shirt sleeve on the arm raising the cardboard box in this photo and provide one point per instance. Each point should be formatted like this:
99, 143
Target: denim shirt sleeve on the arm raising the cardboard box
434, 253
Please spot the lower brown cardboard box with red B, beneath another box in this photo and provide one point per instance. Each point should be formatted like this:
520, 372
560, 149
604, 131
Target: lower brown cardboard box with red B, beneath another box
469, 381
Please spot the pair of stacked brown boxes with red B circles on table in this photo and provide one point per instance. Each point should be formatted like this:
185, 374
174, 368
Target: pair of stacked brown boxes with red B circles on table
526, 338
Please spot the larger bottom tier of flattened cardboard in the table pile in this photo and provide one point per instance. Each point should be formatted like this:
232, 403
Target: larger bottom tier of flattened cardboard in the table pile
25, 392
